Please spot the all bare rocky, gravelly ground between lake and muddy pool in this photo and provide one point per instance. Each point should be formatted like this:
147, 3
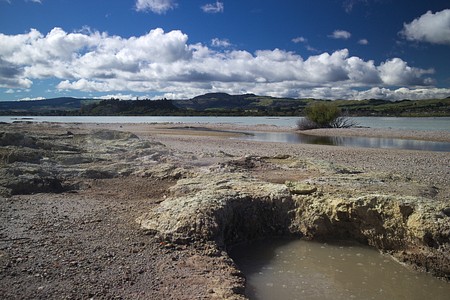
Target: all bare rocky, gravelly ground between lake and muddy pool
180, 200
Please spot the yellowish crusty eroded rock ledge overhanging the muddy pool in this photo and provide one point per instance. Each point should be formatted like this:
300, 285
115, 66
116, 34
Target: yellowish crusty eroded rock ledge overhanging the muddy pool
227, 208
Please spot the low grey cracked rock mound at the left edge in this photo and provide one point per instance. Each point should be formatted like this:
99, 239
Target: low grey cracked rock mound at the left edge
37, 163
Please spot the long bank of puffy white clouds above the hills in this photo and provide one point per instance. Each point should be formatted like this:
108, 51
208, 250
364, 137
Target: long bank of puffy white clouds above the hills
166, 64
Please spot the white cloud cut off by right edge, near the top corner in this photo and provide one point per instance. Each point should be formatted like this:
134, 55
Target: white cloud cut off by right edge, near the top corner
431, 28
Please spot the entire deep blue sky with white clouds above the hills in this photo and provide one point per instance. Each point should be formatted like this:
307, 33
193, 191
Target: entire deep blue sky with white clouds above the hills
178, 49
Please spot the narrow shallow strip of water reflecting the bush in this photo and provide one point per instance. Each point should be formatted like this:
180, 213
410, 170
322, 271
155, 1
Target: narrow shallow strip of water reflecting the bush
366, 142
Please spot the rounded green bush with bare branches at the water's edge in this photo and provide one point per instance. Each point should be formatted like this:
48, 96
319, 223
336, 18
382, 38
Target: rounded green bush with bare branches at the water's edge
324, 115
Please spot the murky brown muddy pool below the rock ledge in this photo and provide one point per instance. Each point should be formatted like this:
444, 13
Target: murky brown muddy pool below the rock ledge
308, 270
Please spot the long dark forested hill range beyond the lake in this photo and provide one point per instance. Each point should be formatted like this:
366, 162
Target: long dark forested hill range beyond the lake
220, 104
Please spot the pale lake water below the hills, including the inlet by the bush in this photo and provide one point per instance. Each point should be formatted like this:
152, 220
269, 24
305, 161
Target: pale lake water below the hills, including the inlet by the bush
442, 124
